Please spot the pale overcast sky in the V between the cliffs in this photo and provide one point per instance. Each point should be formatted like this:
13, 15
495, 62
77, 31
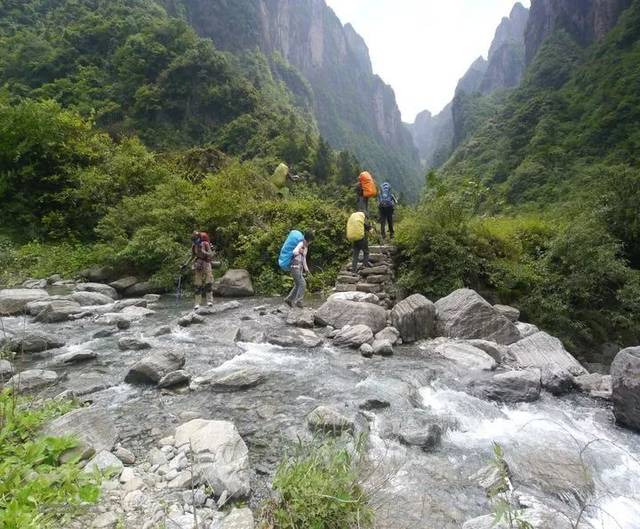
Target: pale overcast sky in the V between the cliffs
422, 47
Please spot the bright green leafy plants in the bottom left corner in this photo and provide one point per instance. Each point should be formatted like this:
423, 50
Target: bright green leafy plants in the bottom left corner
36, 490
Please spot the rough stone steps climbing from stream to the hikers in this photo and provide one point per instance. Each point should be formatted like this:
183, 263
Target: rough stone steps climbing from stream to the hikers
378, 280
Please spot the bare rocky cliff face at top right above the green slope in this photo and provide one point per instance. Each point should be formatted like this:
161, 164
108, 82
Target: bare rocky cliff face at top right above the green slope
586, 21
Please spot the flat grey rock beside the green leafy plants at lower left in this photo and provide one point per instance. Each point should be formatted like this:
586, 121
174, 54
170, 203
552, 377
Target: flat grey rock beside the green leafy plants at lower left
93, 427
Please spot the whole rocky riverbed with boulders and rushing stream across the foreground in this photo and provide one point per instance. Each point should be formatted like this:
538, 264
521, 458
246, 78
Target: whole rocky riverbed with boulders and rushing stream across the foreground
195, 410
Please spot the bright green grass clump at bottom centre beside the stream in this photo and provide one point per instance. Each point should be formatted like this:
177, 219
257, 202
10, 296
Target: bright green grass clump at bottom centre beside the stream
319, 487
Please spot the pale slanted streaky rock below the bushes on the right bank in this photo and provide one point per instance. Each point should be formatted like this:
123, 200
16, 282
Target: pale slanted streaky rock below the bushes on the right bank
547, 353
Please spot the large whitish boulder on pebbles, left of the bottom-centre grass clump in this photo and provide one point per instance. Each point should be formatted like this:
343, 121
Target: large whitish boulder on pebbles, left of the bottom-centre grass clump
221, 454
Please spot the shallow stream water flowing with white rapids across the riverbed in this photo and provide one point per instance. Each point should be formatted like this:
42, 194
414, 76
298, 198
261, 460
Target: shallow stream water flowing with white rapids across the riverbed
566, 452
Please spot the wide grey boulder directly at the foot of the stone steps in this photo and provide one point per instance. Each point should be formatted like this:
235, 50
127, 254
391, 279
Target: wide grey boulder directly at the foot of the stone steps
338, 313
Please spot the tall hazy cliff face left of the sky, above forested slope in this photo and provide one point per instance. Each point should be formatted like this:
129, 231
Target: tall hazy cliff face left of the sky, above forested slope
354, 108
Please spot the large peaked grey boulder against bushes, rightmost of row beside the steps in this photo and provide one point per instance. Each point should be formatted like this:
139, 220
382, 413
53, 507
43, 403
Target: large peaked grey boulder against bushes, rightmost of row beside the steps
465, 314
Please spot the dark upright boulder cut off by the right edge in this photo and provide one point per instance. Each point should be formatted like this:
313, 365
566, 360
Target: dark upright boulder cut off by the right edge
625, 379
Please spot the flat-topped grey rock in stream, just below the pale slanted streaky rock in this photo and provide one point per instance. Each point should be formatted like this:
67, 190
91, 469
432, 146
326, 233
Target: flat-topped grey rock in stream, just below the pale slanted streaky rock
512, 386
